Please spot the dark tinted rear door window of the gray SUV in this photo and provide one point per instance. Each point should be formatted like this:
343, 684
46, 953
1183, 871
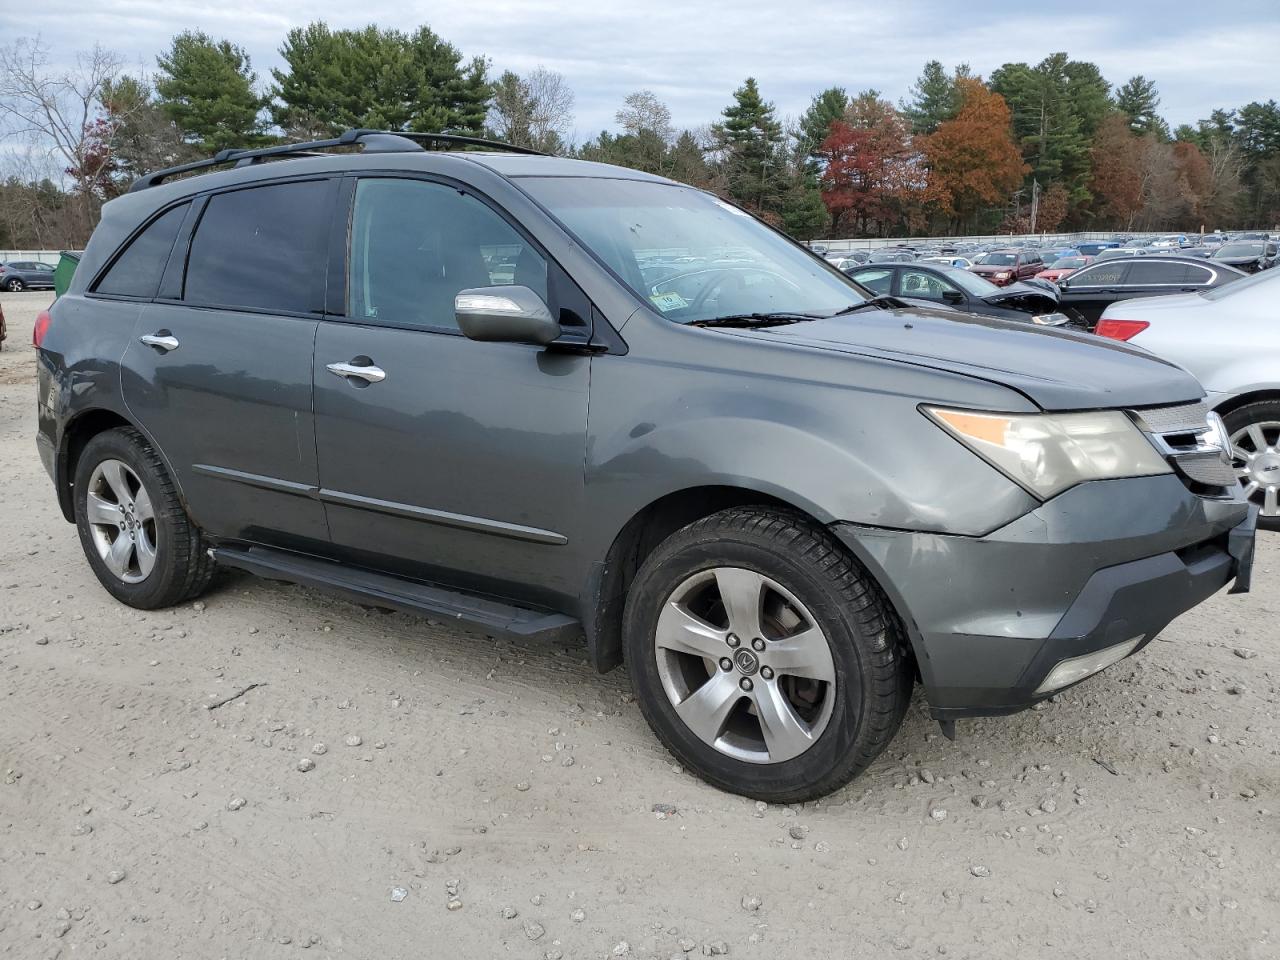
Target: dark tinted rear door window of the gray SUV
263, 249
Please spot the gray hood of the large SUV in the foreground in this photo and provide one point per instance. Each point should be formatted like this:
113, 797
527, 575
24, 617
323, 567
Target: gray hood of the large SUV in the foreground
1057, 369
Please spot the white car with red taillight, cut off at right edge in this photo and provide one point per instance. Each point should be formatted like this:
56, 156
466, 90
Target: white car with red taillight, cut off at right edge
1229, 339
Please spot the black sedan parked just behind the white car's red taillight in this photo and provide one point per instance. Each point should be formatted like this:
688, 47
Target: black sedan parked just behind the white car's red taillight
1090, 291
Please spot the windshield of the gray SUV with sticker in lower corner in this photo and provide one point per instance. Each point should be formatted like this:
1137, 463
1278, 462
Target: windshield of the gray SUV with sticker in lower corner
692, 257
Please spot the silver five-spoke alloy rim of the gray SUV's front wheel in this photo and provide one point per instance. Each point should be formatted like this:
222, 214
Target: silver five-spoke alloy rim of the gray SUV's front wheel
746, 666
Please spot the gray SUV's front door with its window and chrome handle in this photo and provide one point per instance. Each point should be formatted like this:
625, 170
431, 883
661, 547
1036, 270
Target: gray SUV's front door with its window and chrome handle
441, 458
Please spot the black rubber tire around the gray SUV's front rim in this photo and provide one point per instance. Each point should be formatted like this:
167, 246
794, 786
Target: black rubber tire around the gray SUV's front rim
872, 669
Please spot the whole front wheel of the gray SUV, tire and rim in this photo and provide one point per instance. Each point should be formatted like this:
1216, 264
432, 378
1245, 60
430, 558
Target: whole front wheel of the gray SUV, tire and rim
764, 657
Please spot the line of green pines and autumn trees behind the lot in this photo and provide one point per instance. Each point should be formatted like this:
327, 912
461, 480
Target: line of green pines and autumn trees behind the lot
1030, 149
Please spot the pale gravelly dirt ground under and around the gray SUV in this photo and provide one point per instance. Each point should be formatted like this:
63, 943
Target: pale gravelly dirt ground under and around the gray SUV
481, 799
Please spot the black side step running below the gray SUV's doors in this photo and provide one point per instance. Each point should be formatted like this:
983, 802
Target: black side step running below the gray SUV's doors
382, 591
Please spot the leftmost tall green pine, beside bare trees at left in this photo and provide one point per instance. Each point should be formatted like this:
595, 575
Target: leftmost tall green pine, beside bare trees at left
208, 89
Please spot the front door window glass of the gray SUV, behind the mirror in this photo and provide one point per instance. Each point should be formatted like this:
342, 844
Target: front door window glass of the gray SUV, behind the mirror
415, 245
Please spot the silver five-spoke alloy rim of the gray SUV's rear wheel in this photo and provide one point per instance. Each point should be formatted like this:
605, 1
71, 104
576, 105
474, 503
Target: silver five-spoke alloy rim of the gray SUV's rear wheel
122, 522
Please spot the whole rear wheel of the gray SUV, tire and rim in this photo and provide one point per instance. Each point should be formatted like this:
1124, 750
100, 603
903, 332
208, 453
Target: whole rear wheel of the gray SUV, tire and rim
132, 527
